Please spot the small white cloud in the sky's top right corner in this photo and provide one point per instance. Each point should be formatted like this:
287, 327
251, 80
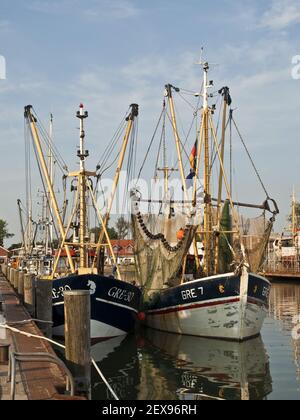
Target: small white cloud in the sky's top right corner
282, 14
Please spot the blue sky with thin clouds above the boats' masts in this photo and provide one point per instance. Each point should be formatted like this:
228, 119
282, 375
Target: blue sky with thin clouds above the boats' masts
111, 53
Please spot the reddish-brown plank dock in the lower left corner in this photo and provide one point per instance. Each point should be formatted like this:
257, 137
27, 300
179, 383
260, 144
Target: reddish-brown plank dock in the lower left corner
35, 380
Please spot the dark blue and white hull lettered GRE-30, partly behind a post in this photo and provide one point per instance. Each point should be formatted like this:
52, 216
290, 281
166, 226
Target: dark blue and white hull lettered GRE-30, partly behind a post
114, 304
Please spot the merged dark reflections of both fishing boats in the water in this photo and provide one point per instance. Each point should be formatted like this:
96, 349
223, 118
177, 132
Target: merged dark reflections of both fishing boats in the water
160, 366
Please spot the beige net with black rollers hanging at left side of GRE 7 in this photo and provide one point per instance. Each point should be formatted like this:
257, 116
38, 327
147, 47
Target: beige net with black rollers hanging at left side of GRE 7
159, 252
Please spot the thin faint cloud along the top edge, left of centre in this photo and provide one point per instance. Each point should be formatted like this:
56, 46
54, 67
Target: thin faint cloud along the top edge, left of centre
93, 10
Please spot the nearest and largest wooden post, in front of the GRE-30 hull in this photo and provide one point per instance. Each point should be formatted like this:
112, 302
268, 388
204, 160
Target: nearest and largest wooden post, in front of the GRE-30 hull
78, 338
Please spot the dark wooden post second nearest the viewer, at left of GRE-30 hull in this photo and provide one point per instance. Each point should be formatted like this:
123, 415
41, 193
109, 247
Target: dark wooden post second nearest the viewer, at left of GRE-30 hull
44, 306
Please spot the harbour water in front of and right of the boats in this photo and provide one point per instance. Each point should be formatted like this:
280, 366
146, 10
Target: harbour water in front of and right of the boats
153, 365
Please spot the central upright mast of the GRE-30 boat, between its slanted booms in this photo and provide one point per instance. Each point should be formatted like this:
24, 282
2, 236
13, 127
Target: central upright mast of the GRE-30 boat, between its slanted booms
82, 181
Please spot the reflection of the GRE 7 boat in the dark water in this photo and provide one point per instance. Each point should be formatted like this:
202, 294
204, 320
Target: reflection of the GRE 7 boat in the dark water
214, 369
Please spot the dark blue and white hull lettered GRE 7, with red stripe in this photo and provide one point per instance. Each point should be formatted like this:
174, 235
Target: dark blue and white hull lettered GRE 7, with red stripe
226, 307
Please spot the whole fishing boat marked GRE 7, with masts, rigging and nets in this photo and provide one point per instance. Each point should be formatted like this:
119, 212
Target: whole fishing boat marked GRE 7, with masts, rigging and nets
224, 296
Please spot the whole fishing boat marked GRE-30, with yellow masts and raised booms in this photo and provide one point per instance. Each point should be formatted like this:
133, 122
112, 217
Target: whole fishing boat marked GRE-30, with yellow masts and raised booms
114, 303
